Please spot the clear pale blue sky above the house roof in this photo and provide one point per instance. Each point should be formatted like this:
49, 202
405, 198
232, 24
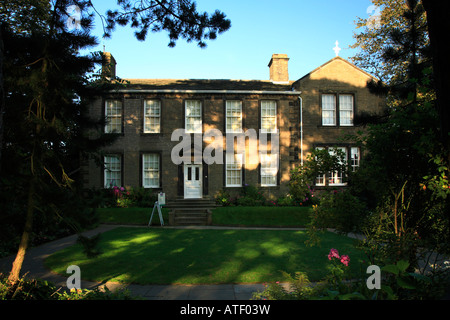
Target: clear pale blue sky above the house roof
305, 30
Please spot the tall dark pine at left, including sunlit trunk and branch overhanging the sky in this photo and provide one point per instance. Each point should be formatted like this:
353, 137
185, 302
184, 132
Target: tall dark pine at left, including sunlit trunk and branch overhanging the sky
46, 87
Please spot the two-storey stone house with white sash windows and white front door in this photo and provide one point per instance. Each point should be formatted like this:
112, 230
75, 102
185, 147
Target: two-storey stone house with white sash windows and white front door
294, 116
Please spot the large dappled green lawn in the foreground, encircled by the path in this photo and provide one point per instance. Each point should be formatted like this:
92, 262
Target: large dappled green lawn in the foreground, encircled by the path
180, 256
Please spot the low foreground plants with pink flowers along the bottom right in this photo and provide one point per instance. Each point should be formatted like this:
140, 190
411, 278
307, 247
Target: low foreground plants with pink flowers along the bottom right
397, 284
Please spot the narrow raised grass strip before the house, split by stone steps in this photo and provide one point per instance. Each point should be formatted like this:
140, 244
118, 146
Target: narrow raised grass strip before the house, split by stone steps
242, 216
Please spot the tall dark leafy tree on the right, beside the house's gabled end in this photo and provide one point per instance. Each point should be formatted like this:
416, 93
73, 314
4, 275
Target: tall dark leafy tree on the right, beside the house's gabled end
404, 147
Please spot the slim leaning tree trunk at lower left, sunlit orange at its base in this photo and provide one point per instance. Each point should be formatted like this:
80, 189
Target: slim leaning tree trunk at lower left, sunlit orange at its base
24, 241
